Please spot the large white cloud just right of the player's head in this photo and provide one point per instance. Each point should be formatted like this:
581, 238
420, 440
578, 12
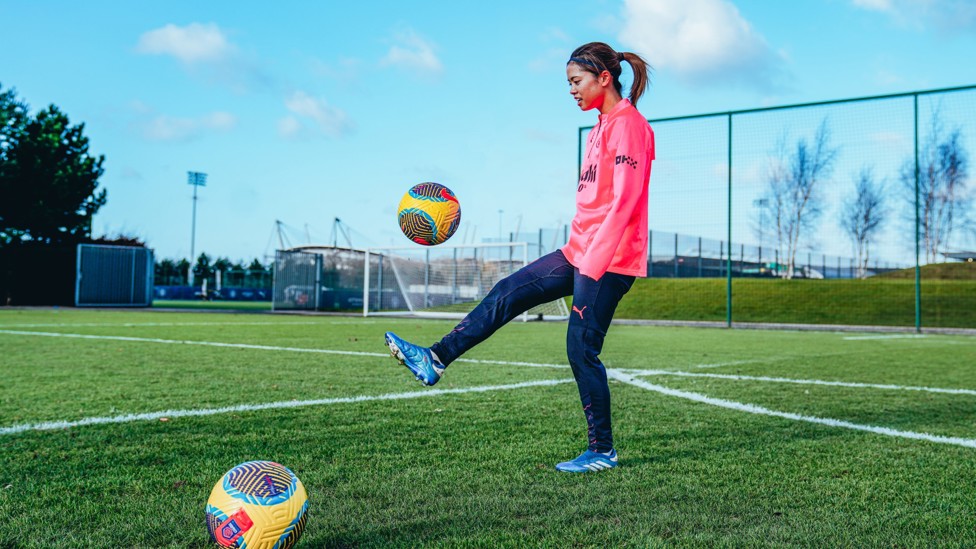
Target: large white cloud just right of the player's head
700, 41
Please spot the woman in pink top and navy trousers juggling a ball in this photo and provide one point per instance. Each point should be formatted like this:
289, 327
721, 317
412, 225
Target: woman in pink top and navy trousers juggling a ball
607, 249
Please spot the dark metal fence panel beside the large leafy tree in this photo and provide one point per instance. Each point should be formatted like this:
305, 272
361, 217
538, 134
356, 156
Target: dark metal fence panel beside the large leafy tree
113, 276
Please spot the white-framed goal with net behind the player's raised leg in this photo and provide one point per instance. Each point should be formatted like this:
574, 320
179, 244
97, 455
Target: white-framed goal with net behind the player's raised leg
443, 281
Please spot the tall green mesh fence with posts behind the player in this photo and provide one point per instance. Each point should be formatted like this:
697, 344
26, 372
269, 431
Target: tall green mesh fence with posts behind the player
854, 205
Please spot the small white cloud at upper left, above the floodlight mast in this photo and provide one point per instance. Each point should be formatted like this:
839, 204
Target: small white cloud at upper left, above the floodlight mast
191, 44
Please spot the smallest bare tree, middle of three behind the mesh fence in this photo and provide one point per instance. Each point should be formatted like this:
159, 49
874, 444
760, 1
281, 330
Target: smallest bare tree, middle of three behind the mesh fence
862, 216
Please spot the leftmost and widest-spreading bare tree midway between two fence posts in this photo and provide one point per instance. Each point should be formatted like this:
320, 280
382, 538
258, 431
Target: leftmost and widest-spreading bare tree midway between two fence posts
793, 198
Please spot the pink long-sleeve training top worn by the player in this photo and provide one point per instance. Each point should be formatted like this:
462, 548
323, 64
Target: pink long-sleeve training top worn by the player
609, 232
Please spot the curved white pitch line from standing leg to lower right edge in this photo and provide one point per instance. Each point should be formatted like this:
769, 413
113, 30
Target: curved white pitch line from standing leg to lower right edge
753, 409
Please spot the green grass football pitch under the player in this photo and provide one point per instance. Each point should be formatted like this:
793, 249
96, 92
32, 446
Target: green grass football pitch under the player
476, 469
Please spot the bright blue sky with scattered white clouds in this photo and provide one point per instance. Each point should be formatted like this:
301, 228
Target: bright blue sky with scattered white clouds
305, 112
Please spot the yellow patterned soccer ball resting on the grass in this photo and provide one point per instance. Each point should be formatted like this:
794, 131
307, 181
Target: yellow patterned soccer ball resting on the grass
258, 504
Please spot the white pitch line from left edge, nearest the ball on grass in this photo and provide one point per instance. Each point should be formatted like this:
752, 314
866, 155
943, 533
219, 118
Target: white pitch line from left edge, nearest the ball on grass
150, 416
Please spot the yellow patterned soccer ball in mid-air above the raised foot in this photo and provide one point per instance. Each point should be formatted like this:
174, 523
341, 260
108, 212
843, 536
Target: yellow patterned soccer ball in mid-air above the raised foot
429, 214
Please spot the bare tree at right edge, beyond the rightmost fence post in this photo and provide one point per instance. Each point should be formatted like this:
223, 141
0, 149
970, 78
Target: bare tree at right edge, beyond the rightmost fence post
944, 201
